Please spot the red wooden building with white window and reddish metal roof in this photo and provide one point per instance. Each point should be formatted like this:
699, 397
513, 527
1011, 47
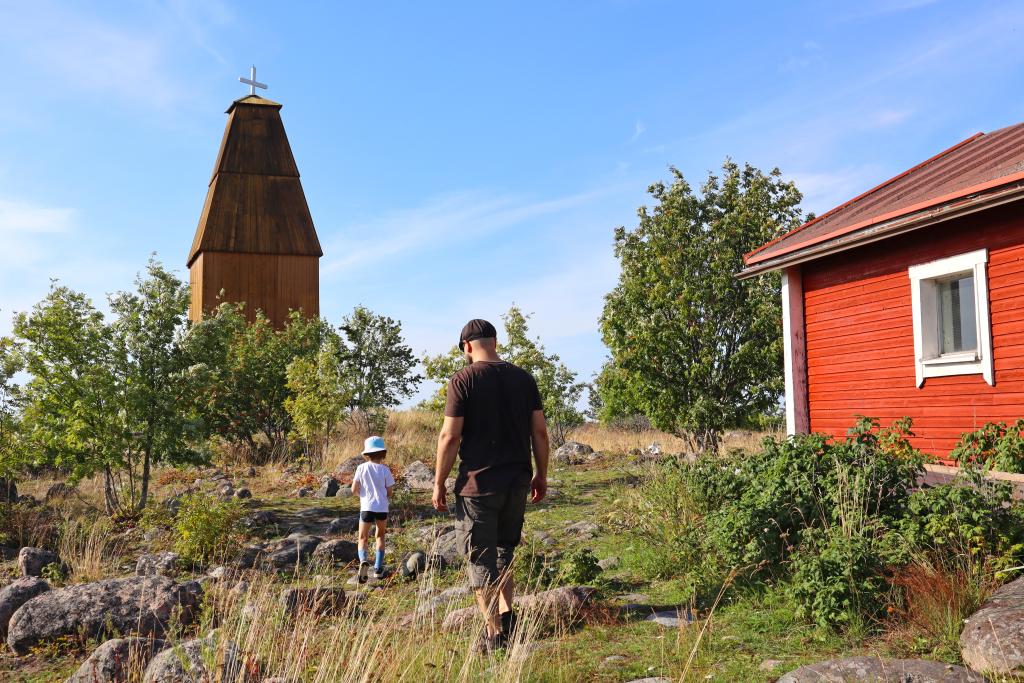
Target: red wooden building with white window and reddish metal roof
909, 301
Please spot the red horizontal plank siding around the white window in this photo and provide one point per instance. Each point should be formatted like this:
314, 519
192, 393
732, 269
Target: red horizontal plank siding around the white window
861, 333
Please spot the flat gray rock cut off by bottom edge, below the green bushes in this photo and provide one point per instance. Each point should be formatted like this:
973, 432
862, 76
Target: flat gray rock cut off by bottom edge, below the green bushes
875, 670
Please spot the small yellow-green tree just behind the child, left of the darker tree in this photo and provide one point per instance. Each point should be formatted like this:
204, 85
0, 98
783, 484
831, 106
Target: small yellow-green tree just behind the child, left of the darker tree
322, 393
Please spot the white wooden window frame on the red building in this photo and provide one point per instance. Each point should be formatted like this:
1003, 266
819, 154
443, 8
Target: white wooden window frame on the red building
928, 362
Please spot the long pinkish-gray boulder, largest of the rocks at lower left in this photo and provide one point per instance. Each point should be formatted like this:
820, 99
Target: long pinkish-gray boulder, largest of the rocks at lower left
138, 606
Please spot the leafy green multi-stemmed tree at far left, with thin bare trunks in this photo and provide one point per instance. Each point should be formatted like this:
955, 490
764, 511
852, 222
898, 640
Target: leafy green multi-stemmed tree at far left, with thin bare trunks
109, 399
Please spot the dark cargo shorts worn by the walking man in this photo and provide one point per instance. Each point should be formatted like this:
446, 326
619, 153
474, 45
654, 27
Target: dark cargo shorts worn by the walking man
488, 530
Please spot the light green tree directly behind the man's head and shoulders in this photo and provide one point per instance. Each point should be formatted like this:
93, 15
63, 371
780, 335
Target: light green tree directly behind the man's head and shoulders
559, 386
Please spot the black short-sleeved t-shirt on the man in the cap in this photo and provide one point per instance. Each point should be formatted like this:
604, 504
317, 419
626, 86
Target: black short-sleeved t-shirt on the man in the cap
497, 401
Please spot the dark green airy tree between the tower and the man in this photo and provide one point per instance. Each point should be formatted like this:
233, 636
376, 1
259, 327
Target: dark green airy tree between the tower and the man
377, 362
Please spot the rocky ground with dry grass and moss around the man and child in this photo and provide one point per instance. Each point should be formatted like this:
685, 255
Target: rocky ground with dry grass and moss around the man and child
152, 617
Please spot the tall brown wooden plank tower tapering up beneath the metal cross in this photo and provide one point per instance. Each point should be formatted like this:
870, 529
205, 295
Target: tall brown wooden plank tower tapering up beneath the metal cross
255, 242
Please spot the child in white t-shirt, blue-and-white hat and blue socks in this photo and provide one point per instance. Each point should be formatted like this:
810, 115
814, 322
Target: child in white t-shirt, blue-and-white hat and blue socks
373, 484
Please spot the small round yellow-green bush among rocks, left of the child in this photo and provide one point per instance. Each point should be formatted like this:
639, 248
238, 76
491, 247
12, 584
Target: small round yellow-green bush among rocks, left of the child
206, 528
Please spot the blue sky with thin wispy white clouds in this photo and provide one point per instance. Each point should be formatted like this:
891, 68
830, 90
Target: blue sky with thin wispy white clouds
461, 157
